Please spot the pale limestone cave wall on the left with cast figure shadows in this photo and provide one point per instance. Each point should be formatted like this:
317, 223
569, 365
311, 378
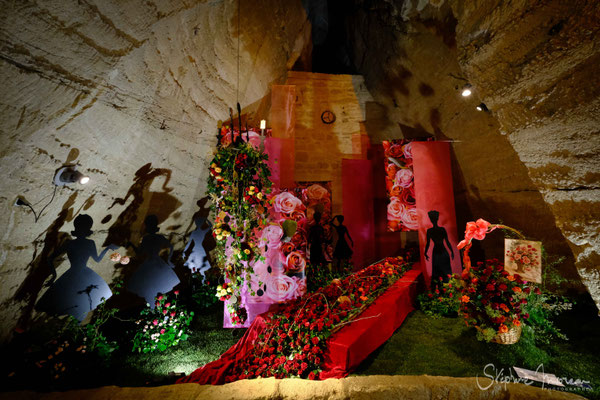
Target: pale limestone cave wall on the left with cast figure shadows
133, 92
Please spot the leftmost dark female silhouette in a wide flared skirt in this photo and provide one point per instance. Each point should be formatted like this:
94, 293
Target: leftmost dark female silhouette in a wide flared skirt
79, 290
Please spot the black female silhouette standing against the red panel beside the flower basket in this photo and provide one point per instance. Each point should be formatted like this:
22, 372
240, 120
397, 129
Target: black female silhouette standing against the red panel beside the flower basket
440, 263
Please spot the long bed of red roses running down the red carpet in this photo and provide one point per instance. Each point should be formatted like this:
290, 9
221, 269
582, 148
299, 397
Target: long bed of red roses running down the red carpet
294, 339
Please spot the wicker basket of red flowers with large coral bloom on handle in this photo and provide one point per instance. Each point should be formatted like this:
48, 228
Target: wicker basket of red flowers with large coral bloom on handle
492, 299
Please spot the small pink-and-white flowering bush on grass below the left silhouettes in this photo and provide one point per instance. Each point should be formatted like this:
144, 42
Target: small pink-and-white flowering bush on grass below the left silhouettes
164, 326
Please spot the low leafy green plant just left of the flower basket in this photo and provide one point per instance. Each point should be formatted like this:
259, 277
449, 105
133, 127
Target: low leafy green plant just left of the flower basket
444, 302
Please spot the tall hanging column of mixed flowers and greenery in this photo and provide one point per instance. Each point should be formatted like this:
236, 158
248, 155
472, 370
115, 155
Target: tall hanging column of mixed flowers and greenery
237, 185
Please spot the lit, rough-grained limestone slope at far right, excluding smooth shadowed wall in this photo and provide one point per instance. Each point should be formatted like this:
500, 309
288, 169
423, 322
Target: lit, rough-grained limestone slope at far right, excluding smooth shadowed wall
536, 65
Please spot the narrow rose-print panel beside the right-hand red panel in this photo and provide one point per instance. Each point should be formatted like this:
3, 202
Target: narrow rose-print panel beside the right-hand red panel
399, 181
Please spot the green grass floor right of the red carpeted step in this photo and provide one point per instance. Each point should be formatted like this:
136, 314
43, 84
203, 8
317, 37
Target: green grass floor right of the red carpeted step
446, 347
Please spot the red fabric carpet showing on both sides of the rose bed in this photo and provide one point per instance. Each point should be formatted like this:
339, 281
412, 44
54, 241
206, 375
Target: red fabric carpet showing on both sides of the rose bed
346, 349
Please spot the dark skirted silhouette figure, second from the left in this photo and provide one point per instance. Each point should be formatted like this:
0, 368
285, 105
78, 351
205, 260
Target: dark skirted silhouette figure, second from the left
154, 275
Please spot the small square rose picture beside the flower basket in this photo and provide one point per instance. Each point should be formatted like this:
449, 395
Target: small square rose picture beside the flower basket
523, 257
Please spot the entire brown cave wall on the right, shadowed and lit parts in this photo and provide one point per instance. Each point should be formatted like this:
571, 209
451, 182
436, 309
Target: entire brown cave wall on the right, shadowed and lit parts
534, 170
